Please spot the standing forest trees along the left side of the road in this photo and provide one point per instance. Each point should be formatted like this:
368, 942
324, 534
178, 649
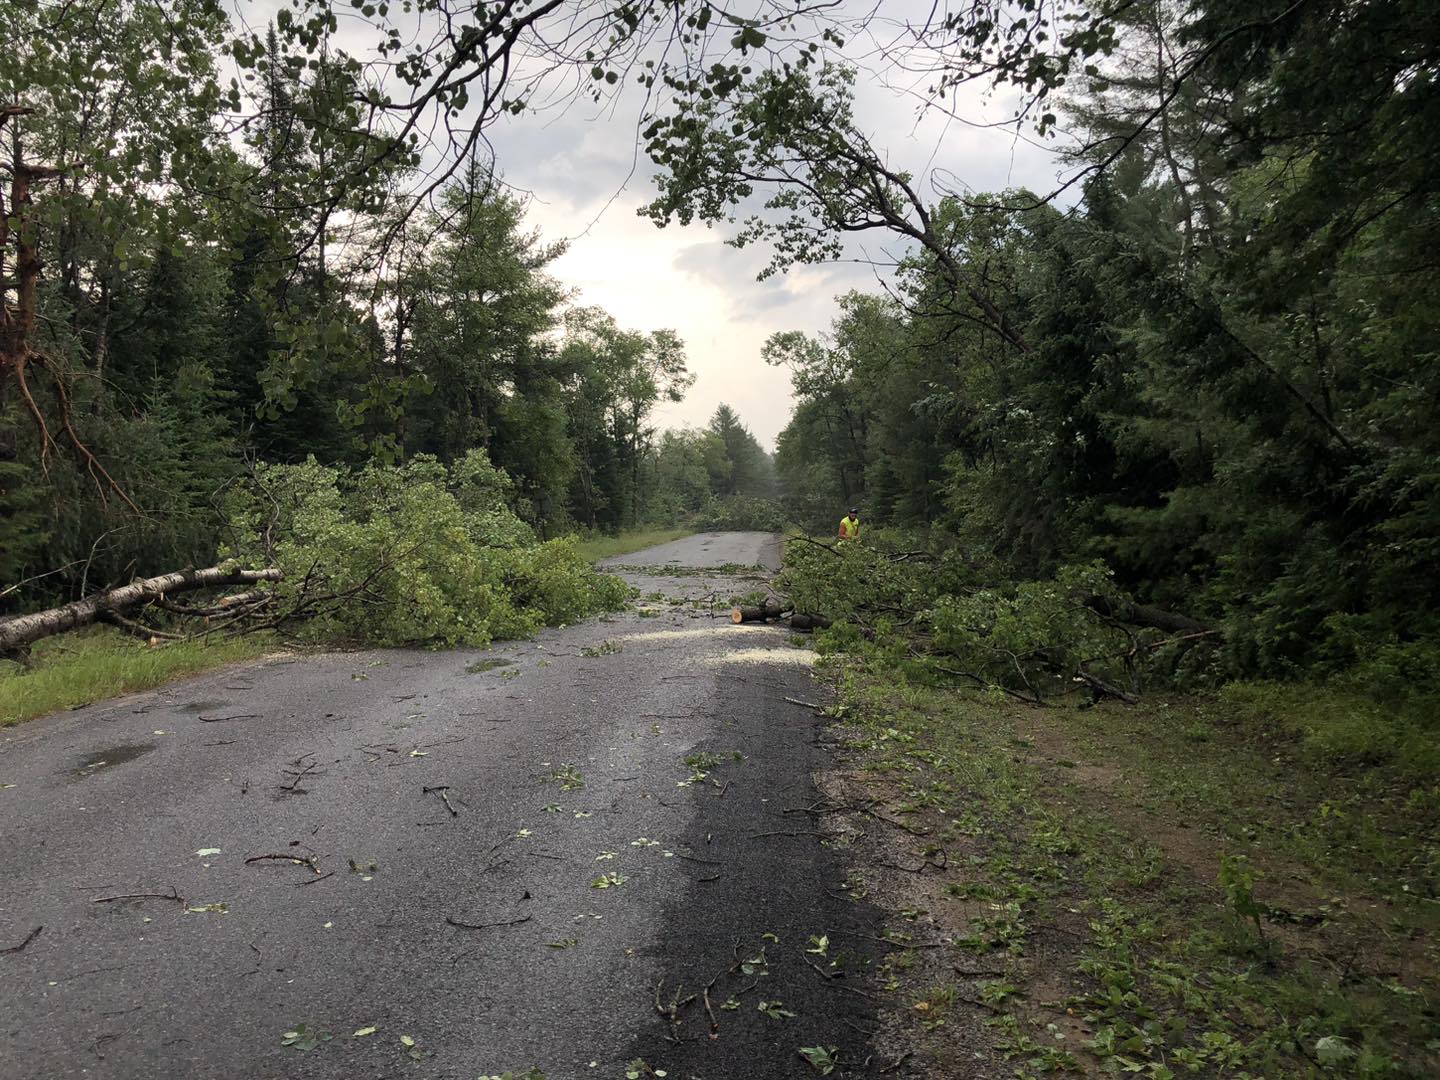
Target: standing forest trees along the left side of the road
186, 315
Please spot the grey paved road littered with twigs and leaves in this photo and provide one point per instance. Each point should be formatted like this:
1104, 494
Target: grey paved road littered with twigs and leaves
562, 760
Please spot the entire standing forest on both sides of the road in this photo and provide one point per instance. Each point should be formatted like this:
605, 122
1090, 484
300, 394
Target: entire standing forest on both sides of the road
1205, 362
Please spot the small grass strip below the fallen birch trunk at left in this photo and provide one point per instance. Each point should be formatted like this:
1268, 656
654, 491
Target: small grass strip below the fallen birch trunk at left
73, 670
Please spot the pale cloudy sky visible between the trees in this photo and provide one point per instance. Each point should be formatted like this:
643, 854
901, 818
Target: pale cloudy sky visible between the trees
585, 181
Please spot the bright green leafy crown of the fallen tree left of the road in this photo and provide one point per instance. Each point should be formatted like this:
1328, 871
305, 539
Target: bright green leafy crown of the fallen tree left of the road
433, 555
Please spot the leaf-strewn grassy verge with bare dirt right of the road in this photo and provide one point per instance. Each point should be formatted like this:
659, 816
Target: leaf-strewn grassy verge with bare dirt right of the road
1173, 889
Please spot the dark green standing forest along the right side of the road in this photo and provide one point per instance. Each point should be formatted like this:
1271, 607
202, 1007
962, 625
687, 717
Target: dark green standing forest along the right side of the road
1215, 371
